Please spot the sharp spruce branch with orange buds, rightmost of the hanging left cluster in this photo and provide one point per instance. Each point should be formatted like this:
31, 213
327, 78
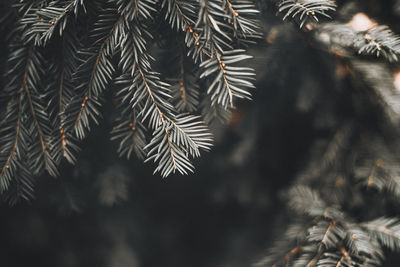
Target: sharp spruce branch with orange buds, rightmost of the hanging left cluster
206, 37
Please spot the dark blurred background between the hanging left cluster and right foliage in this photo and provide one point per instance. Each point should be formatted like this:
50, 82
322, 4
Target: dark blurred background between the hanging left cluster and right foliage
107, 211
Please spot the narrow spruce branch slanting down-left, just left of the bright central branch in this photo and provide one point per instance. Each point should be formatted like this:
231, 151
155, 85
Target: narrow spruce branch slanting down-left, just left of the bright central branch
94, 74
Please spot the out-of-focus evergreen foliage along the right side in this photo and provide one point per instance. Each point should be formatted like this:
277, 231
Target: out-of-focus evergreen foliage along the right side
336, 223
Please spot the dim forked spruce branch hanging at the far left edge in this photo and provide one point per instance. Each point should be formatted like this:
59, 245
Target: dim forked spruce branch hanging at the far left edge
26, 131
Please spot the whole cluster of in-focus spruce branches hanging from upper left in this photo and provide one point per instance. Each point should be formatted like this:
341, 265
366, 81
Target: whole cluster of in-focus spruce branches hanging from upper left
69, 57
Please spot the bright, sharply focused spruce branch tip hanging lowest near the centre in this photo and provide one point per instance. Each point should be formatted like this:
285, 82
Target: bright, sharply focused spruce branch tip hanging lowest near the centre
173, 138
